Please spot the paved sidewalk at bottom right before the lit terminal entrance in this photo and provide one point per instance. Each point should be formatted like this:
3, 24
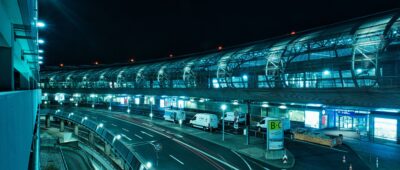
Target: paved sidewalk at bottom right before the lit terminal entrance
388, 154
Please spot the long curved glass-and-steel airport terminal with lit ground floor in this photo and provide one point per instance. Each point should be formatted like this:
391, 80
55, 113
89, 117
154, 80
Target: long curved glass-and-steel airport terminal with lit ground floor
343, 76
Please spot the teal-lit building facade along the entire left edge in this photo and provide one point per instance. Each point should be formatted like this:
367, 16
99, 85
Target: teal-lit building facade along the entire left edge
19, 96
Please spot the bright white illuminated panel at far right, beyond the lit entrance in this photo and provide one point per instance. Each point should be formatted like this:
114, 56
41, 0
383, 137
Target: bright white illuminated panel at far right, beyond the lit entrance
385, 126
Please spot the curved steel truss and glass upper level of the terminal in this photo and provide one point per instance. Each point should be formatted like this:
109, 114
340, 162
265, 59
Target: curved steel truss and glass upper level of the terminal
362, 53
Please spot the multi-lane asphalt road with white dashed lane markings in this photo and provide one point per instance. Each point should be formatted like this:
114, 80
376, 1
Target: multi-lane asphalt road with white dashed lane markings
178, 150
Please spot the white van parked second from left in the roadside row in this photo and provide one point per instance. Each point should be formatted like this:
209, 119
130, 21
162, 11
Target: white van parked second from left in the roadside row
204, 120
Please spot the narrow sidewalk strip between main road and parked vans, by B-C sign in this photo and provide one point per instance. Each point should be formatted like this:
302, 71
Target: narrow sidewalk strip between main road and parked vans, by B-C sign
237, 143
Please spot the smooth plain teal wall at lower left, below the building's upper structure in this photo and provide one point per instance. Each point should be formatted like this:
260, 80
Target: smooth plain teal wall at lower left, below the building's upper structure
18, 113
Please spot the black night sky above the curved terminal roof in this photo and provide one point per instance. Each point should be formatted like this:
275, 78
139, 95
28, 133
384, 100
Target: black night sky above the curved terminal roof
80, 32
